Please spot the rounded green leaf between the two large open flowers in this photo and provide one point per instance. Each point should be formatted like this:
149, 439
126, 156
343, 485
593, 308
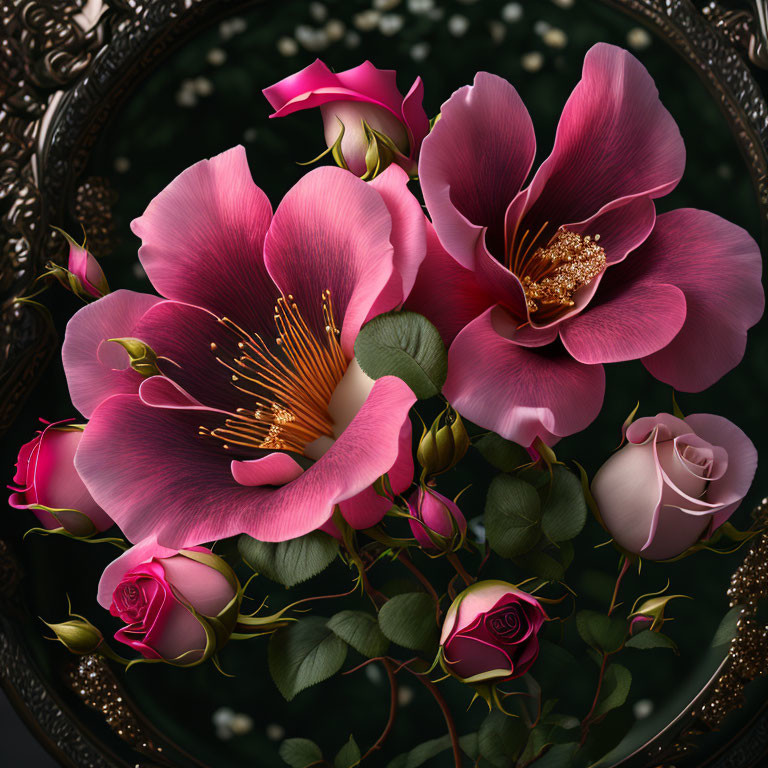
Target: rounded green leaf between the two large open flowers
406, 345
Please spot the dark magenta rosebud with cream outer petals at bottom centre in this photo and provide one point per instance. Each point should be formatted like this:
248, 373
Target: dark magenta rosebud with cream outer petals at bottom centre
490, 633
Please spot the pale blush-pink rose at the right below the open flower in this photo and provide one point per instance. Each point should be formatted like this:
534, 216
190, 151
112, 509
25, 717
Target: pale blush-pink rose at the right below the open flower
675, 482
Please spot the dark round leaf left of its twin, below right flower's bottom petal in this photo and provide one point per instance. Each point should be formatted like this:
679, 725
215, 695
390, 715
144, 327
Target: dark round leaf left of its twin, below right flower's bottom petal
512, 516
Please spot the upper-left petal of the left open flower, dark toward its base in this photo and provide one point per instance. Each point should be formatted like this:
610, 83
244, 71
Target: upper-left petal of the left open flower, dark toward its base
202, 238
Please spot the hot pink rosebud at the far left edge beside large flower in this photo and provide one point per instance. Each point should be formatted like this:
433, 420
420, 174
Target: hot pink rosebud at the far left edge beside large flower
48, 483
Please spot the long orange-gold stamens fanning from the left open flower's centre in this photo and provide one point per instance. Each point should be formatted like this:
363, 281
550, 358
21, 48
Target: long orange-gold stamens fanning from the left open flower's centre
291, 385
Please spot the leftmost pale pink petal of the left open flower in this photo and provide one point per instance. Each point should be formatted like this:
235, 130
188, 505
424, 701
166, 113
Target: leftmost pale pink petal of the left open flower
96, 368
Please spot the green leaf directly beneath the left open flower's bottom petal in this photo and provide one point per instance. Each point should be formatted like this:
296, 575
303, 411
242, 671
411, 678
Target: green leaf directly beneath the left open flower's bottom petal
289, 562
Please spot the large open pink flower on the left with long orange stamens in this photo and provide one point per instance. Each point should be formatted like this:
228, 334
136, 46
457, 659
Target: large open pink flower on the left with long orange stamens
261, 422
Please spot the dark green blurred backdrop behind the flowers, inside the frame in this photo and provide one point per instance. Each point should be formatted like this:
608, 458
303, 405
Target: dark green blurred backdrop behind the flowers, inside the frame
159, 138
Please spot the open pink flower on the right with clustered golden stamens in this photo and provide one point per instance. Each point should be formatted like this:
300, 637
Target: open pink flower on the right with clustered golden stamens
532, 300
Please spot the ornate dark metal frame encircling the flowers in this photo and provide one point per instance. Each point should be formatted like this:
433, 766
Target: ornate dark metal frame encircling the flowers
65, 66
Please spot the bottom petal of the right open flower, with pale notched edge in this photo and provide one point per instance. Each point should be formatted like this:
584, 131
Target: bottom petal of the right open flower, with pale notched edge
519, 392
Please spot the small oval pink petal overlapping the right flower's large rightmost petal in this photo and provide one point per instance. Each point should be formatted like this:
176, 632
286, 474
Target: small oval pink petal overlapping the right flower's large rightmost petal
626, 321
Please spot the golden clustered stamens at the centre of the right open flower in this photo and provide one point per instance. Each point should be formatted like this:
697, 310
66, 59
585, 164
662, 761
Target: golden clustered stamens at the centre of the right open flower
551, 275
